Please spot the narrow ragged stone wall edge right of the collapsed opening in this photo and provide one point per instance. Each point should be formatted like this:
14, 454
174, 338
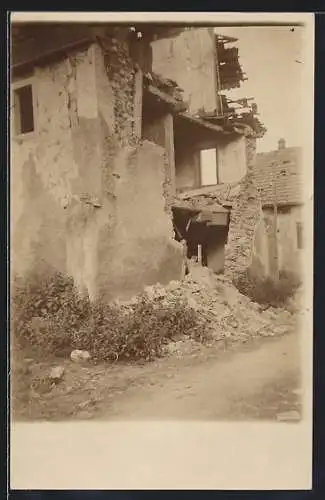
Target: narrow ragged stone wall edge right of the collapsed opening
245, 216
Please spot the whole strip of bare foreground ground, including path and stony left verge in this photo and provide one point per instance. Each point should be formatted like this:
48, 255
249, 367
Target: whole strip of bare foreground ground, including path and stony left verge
256, 380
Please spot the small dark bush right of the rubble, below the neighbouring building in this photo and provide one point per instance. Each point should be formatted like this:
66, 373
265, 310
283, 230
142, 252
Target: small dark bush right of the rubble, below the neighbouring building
266, 291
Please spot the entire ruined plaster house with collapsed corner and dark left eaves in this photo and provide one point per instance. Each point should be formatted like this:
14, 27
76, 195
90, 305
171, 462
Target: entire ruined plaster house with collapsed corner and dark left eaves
104, 146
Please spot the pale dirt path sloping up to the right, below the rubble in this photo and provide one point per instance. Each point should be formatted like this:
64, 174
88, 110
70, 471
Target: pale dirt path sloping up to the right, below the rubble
255, 382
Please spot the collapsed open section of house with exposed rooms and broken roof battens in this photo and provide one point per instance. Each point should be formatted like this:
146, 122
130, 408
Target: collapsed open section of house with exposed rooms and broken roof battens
217, 207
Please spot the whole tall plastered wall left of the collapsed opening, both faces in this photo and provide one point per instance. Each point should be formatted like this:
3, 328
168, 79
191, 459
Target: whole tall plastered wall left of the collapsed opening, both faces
81, 184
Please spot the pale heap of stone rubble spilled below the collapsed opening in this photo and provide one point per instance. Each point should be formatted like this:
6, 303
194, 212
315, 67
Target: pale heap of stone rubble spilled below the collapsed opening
228, 314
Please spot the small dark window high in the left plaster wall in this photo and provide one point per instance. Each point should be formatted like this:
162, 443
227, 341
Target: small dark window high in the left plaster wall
23, 110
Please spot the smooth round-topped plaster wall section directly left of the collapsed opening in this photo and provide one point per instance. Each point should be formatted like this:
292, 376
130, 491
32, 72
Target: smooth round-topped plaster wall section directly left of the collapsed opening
140, 249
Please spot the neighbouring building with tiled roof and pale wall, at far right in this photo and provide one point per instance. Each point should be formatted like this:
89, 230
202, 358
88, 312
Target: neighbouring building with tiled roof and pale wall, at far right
279, 179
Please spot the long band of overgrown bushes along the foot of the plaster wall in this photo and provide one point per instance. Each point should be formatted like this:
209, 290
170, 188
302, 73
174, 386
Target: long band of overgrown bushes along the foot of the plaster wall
50, 316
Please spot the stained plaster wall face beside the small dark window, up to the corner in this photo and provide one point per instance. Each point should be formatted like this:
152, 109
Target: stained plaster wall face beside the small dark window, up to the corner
51, 169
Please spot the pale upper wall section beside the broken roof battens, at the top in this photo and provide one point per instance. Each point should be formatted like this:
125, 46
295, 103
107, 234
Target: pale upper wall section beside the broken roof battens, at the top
190, 60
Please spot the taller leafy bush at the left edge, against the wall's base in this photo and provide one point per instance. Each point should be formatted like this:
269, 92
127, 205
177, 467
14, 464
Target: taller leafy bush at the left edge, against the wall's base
46, 312
